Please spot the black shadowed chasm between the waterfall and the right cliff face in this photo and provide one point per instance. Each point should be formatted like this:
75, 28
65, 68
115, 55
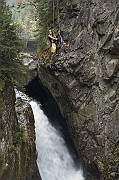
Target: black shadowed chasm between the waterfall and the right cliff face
41, 94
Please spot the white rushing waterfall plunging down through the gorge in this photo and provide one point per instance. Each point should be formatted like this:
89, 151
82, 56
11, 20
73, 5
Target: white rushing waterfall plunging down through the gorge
54, 161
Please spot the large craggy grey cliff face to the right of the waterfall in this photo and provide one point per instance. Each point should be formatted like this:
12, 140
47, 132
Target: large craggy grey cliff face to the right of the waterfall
84, 80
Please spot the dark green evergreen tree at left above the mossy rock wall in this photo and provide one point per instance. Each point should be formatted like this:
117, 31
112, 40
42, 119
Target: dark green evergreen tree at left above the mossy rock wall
11, 66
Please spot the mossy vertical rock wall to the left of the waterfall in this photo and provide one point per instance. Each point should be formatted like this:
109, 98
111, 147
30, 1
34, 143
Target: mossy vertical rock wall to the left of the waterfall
17, 138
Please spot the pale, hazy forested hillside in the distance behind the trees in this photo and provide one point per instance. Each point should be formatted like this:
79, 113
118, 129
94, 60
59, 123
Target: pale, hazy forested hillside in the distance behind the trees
24, 15
